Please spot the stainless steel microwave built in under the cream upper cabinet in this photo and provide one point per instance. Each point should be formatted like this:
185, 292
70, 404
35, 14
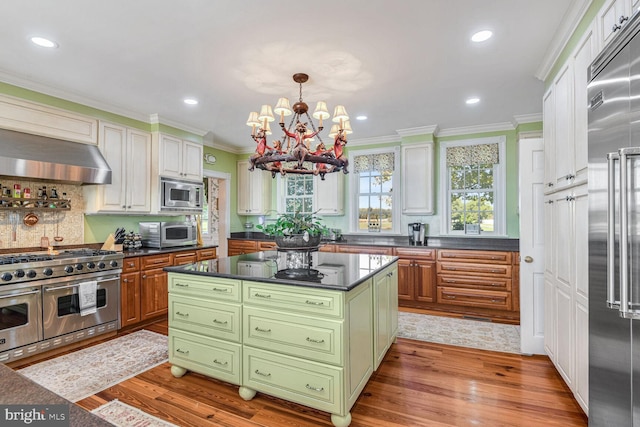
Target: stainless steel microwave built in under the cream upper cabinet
181, 196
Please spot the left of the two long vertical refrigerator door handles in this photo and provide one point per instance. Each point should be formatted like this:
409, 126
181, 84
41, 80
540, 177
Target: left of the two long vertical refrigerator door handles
611, 231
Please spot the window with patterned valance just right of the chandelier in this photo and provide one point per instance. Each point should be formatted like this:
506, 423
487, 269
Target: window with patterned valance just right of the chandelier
373, 177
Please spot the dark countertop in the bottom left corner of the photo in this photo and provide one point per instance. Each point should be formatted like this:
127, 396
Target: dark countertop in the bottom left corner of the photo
19, 390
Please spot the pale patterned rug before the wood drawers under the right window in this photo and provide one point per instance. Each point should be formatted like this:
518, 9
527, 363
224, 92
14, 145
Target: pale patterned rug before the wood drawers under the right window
459, 332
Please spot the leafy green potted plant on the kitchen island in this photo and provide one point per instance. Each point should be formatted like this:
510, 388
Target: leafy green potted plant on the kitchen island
296, 230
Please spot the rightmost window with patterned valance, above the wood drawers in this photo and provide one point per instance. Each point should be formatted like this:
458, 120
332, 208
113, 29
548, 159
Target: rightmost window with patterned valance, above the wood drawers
473, 191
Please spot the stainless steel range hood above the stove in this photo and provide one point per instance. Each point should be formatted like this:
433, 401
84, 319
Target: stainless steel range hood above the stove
38, 157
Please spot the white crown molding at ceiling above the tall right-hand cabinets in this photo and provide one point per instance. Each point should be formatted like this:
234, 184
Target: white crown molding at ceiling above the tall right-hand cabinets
568, 26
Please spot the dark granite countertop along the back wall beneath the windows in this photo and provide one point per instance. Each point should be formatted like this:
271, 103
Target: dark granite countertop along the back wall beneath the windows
436, 242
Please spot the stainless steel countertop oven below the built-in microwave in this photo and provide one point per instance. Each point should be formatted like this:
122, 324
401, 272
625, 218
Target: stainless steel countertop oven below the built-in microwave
157, 234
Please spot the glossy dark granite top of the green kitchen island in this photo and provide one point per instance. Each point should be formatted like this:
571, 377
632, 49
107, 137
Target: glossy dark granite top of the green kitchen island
335, 271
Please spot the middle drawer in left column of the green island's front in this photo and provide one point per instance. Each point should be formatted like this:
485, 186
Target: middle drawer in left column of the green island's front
212, 318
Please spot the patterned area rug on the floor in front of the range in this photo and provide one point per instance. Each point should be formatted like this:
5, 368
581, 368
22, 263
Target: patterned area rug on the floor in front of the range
83, 373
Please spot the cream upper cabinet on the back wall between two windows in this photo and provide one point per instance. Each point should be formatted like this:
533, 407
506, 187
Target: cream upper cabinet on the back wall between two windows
417, 179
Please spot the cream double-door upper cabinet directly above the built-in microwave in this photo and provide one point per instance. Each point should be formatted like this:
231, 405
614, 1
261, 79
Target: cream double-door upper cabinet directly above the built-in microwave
180, 159
